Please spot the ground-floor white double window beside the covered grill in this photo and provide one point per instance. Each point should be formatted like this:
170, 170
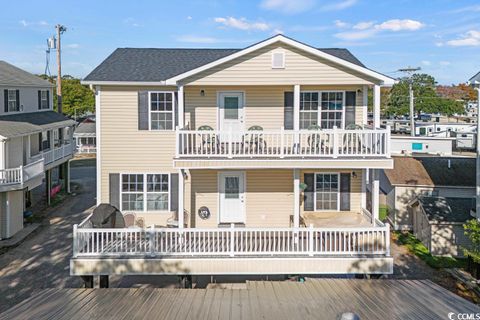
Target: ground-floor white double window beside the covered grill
145, 192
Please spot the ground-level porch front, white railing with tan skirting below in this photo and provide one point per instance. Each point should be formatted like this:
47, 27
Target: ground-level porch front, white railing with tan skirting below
231, 250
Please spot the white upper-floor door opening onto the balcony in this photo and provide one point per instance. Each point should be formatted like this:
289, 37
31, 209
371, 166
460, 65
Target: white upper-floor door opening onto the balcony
231, 111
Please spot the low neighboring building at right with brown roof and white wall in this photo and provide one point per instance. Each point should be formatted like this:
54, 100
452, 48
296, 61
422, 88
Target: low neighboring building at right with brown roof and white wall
412, 177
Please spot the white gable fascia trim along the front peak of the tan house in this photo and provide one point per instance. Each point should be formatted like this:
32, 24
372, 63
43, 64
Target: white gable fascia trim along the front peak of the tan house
385, 81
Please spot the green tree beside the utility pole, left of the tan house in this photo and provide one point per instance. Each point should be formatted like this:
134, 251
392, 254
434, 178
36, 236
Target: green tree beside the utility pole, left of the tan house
77, 98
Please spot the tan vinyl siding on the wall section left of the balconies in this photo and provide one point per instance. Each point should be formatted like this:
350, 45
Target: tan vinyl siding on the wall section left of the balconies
124, 148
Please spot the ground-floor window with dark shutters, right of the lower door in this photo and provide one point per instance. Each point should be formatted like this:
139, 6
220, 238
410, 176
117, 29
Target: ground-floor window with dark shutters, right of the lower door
327, 191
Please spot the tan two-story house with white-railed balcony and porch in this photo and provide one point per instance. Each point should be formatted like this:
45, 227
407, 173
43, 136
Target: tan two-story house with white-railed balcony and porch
237, 161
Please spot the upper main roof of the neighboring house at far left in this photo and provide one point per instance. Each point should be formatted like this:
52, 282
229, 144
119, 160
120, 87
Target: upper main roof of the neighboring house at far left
13, 76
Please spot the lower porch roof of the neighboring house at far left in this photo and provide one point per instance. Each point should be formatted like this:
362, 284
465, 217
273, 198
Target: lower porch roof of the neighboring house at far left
21, 124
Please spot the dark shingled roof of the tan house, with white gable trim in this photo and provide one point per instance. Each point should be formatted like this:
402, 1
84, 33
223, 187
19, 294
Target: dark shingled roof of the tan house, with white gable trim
169, 65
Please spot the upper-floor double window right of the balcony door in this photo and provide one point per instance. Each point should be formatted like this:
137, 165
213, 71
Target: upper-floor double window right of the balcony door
324, 109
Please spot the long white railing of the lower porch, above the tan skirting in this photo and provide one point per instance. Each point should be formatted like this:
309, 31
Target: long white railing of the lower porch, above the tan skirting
230, 242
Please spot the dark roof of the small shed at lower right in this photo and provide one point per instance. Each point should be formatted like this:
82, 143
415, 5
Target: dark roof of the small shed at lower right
447, 210
